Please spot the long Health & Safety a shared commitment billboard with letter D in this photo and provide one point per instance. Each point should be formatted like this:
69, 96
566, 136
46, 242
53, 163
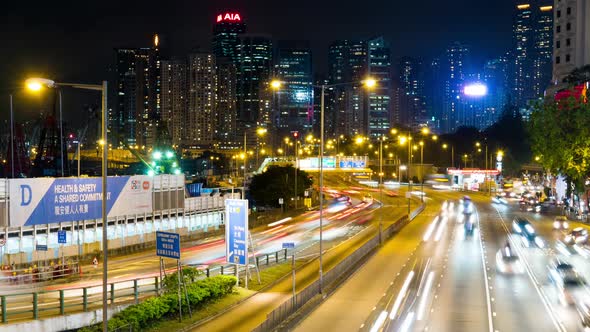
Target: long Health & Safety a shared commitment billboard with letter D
39, 201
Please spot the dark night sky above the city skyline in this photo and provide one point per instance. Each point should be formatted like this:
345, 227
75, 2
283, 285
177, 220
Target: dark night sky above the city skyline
73, 41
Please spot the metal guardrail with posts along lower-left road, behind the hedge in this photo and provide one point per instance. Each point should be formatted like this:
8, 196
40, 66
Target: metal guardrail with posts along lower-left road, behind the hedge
41, 304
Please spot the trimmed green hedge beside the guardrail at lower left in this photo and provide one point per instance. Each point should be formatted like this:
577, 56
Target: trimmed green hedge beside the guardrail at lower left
143, 314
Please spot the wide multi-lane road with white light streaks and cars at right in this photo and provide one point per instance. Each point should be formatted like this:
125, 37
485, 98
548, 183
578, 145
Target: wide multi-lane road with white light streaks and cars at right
434, 276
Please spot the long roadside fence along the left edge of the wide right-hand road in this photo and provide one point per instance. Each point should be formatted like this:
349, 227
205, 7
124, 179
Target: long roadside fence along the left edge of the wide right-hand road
289, 307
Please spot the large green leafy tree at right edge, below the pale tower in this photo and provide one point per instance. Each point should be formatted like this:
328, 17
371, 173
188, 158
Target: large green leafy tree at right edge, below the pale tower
559, 133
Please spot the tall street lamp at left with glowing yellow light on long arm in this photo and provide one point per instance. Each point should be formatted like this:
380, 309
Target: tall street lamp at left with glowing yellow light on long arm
38, 83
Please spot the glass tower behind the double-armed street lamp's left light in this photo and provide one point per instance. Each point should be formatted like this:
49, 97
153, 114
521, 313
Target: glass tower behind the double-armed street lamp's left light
294, 68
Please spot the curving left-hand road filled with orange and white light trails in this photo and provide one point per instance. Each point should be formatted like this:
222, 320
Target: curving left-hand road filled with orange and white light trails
342, 220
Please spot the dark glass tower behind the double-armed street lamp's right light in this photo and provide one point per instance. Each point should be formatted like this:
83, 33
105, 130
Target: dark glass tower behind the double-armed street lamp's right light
379, 101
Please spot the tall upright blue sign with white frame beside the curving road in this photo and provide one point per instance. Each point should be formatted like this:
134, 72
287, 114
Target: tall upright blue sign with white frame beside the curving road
236, 231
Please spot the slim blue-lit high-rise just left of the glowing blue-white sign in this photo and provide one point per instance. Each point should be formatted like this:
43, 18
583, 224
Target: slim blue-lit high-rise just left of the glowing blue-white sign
454, 74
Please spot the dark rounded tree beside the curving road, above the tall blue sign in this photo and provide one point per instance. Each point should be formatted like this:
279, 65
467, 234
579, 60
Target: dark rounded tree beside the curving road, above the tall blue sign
278, 182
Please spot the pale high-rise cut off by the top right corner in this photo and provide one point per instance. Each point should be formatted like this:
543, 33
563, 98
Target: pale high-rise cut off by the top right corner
572, 38
